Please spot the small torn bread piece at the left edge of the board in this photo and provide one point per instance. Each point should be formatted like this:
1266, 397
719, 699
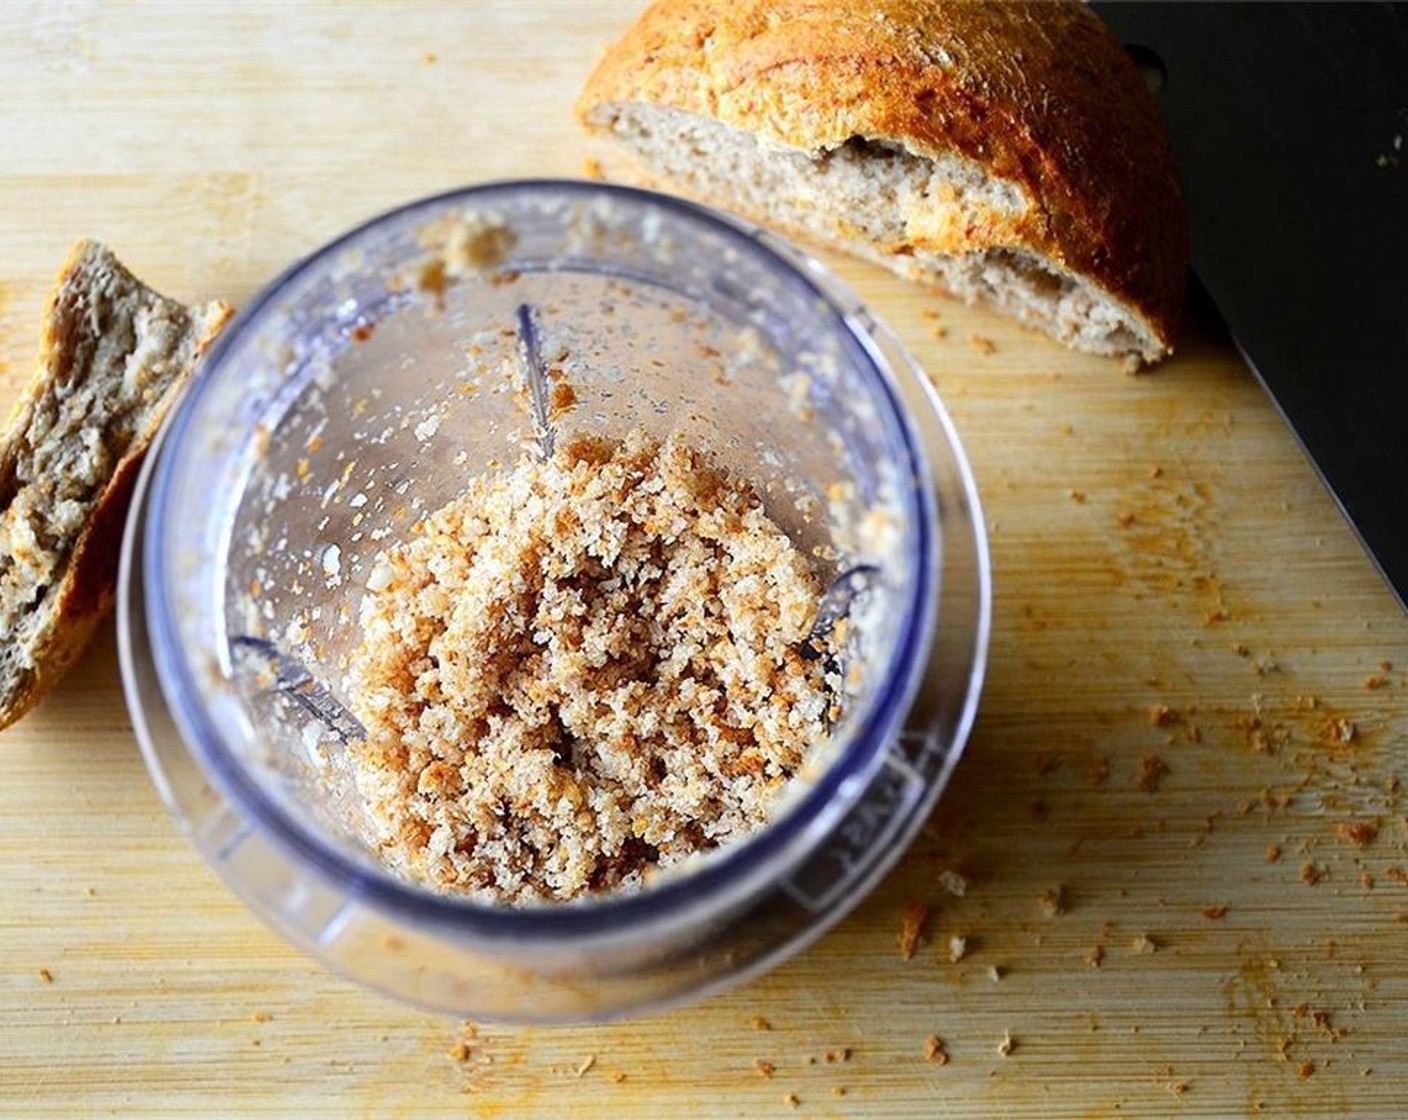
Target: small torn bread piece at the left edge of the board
113, 359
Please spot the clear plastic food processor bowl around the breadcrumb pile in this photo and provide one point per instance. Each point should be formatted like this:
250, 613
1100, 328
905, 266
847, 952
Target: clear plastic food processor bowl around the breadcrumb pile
358, 392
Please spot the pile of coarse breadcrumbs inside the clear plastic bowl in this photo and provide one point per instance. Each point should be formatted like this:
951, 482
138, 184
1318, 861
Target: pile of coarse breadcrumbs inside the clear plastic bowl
581, 670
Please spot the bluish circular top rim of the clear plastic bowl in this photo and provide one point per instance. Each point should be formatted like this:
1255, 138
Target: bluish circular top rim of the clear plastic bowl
833, 794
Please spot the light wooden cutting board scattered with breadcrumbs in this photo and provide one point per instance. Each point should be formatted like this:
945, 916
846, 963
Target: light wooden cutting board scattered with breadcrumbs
1185, 771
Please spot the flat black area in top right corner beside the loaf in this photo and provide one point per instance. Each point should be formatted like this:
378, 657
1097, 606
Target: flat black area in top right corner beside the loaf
1289, 126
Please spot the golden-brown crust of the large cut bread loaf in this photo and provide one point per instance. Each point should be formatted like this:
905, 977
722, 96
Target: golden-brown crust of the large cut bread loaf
1038, 95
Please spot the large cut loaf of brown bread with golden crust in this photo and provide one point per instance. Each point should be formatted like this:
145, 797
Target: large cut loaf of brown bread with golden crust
1009, 153
